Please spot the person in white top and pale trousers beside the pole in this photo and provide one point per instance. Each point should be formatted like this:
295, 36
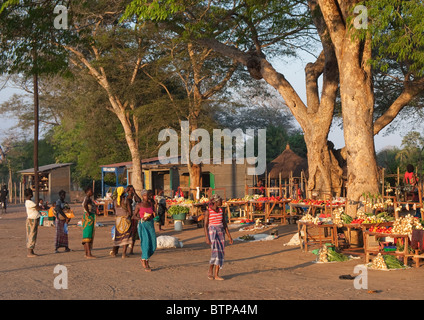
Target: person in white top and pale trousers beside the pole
32, 222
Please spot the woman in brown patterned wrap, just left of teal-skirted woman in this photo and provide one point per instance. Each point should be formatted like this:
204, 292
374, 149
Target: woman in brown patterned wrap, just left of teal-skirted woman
123, 236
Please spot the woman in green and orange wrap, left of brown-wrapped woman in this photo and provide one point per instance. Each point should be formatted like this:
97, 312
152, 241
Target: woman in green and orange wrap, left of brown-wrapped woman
88, 222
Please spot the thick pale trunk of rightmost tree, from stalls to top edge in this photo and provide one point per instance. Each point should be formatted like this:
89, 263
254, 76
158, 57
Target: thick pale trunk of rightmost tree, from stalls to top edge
357, 100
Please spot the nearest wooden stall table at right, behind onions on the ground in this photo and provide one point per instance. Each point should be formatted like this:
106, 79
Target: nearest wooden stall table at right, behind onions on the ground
371, 248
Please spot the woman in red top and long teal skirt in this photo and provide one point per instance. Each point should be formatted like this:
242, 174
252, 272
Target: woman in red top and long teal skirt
146, 229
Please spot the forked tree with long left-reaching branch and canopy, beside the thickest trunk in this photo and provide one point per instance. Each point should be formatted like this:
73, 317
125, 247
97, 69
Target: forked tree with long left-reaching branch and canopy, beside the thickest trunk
252, 33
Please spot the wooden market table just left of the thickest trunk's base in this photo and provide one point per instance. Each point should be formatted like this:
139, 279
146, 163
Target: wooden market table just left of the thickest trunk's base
312, 233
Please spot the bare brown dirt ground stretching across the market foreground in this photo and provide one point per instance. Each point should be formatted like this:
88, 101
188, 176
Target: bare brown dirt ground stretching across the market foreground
261, 270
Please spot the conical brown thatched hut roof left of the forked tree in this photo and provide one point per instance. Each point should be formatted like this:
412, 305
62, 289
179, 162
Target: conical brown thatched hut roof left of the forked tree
285, 163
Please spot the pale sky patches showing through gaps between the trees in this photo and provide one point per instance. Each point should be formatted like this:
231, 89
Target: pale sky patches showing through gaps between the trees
293, 71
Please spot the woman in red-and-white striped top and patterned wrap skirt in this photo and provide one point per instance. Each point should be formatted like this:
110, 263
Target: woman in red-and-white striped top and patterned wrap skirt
215, 228
